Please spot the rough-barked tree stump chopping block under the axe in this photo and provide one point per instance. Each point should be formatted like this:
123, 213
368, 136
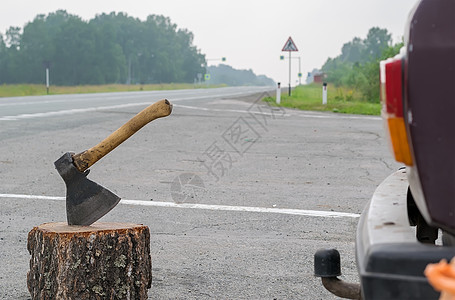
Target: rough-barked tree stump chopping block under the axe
101, 261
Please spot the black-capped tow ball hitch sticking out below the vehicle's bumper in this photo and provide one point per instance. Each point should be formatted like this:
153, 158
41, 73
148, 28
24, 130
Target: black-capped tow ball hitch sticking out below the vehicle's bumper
327, 266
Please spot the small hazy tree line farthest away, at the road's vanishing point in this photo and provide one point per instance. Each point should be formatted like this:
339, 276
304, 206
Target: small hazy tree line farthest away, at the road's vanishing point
224, 74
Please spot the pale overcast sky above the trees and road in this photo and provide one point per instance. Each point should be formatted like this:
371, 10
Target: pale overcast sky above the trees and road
249, 33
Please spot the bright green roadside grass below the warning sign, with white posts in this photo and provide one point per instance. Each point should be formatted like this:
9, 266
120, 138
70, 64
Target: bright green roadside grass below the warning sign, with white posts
339, 100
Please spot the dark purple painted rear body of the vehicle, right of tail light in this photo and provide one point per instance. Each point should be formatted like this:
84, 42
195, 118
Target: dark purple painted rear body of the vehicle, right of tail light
430, 109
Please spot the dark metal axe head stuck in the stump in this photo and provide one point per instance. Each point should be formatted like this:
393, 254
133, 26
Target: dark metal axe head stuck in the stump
86, 201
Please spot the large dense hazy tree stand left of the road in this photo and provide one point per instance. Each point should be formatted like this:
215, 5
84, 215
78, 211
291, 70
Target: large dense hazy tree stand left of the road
110, 48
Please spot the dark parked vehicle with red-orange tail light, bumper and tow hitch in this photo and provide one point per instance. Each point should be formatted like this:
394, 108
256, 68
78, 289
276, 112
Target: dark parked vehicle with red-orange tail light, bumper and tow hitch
415, 206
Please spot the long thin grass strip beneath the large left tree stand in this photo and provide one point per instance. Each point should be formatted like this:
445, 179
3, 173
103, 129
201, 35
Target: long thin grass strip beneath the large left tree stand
16, 90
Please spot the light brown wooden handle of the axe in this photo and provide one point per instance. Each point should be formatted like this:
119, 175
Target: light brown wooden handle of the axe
85, 159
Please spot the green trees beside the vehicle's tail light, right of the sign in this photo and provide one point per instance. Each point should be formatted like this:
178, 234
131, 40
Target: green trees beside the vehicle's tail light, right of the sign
357, 66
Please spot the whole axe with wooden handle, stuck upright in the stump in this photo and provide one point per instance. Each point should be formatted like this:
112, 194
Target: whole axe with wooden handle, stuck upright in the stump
86, 201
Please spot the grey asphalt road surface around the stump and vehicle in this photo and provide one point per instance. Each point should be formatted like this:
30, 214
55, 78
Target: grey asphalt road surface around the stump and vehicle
238, 195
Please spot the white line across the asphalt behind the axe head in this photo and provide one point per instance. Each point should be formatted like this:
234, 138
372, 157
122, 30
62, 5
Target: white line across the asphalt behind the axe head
287, 211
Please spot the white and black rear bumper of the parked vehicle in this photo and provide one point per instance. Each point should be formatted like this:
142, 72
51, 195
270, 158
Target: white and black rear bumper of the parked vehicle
390, 260
